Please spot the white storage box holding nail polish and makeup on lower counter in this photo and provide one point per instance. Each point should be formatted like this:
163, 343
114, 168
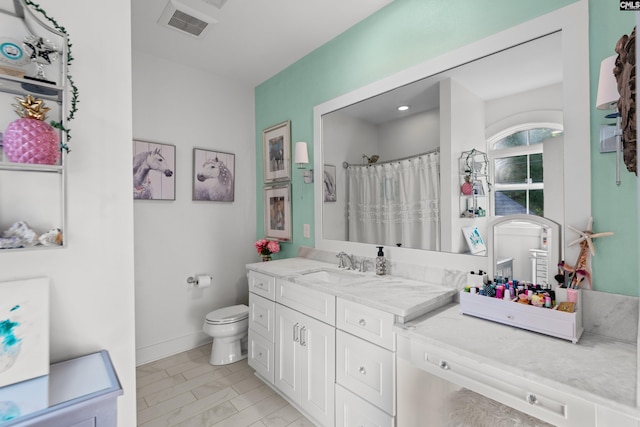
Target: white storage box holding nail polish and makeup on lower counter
546, 321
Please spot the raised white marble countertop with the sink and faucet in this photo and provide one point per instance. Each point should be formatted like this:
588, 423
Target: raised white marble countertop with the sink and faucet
405, 298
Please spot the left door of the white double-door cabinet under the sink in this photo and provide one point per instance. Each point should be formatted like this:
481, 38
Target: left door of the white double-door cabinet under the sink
287, 349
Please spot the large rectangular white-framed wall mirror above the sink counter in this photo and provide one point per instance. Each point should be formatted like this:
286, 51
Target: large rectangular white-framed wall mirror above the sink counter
529, 83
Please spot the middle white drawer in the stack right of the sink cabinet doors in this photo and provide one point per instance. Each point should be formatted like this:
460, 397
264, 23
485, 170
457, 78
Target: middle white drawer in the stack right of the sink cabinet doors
366, 370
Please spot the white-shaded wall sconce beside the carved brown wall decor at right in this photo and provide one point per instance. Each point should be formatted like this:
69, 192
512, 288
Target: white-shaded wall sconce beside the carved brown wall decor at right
607, 99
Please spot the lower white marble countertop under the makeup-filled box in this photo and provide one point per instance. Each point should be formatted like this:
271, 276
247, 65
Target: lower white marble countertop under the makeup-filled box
597, 369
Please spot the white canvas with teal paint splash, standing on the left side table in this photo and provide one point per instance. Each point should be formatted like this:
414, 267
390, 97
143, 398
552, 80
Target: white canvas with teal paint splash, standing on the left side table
24, 317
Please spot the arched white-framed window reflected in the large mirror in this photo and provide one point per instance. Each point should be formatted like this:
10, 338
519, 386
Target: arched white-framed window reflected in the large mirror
516, 157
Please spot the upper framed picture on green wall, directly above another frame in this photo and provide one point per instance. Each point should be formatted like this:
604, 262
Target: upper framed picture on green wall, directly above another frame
276, 152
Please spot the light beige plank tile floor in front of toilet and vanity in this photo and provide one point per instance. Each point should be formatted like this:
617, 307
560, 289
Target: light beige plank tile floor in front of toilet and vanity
184, 390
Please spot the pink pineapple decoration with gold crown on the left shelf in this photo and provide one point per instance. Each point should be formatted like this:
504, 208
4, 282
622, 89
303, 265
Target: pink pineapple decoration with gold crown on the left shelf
30, 139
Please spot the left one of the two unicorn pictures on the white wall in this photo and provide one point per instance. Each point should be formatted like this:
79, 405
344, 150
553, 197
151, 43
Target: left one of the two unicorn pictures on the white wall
154, 168
